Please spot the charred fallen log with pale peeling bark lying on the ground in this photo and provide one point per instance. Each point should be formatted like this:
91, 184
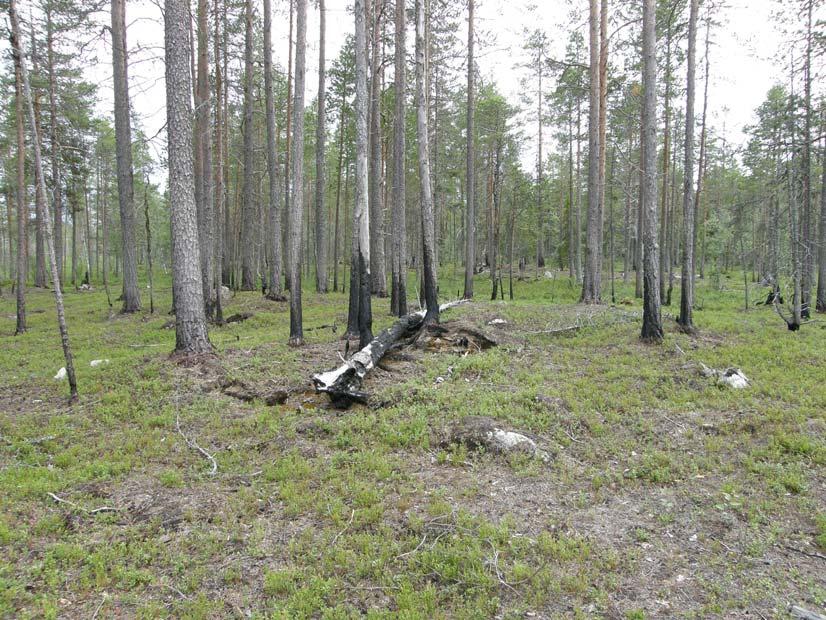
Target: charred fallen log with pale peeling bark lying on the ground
343, 384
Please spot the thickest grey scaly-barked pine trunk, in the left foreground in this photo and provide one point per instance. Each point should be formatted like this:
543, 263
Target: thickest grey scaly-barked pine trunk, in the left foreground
190, 319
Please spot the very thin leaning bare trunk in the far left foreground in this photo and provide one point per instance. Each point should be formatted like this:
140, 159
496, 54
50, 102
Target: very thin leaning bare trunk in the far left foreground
40, 189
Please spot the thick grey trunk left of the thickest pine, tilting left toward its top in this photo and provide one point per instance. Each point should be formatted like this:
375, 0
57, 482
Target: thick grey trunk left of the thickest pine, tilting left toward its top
123, 140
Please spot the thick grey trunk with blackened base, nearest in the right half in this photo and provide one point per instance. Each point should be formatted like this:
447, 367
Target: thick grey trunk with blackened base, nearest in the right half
652, 329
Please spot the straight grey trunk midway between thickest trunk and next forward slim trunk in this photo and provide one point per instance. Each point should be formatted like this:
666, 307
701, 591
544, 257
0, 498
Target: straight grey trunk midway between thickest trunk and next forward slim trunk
248, 218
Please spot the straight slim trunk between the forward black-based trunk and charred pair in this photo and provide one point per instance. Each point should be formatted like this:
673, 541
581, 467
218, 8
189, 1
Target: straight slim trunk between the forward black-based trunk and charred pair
320, 182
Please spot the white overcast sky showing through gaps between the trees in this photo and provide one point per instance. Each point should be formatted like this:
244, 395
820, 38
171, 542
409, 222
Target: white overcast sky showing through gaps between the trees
742, 56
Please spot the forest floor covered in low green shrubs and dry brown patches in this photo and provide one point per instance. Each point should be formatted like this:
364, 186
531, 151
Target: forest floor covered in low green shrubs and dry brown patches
665, 495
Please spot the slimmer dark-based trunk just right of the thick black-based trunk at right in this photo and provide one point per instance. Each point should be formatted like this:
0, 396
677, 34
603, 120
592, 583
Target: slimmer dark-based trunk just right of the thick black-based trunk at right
687, 281
